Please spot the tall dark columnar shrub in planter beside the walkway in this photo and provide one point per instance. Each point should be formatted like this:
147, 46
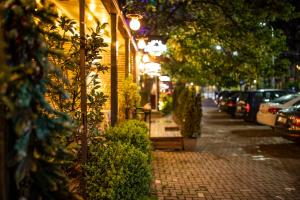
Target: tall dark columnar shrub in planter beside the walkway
188, 112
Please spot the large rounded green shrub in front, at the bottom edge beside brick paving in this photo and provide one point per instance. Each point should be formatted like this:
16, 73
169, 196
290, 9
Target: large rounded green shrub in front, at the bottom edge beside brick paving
117, 170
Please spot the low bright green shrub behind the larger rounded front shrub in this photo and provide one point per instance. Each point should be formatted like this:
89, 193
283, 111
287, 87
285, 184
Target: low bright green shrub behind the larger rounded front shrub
132, 132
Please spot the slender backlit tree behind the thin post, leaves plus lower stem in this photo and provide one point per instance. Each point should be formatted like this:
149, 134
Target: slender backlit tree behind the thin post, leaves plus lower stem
64, 44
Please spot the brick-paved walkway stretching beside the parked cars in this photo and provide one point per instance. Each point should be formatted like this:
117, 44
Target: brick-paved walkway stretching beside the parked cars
235, 160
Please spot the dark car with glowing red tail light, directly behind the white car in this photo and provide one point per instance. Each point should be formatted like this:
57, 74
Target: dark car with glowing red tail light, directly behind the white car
249, 102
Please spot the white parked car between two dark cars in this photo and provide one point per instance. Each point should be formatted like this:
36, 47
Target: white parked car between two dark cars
266, 114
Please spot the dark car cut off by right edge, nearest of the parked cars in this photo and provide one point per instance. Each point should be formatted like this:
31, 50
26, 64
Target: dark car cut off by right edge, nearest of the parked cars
287, 122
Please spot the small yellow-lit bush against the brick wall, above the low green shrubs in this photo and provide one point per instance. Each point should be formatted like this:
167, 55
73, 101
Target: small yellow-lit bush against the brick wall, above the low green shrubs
130, 98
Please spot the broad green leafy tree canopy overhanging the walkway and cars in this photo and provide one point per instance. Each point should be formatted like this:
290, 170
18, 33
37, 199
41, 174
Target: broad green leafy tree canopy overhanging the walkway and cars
219, 41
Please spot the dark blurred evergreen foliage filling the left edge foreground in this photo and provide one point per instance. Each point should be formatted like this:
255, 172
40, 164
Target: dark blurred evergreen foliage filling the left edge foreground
35, 131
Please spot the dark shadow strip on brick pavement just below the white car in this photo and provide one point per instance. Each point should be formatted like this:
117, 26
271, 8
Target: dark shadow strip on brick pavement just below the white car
254, 133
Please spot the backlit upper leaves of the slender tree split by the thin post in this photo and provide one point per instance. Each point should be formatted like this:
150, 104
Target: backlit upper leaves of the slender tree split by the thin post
64, 38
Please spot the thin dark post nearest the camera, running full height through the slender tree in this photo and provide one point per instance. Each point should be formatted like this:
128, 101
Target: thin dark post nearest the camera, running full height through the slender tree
83, 102
